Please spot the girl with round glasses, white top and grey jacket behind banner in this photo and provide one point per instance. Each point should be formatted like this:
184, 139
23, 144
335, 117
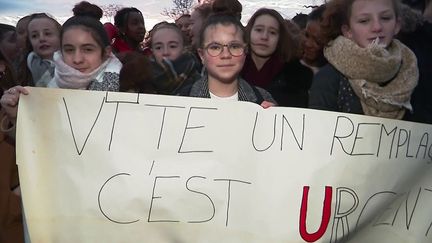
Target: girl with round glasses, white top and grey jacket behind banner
222, 50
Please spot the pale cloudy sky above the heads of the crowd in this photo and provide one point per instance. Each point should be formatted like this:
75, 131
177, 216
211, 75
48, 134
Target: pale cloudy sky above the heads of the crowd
12, 10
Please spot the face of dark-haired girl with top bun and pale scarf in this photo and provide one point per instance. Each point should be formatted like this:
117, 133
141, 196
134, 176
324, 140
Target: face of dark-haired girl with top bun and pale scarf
81, 51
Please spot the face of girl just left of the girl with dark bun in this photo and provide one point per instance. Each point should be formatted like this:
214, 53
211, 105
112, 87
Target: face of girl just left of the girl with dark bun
44, 37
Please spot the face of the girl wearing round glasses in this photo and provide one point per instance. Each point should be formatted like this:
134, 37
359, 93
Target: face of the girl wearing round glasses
224, 67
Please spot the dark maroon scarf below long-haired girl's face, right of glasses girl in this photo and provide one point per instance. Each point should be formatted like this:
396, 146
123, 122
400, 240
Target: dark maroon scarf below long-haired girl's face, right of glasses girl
263, 77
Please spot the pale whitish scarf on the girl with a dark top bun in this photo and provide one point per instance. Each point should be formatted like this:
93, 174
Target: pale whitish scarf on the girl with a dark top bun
68, 77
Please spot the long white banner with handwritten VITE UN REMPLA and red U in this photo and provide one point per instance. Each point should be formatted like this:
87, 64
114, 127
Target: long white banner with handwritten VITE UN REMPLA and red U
117, 167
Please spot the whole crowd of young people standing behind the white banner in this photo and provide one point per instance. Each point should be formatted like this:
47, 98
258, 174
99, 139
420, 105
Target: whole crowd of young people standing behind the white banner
356, 56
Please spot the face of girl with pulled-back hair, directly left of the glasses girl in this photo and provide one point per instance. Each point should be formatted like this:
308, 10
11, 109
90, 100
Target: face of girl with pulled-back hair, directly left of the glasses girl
166, 43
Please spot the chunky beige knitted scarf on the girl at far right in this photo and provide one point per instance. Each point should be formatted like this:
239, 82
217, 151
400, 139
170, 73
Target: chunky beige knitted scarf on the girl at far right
383, 78
